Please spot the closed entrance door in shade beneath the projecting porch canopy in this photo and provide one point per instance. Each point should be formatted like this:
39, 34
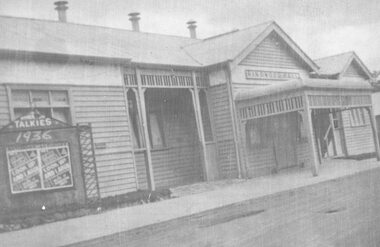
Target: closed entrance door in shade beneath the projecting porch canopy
284, 140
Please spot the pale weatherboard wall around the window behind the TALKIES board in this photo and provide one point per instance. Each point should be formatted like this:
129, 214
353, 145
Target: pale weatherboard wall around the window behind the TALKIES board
96, 97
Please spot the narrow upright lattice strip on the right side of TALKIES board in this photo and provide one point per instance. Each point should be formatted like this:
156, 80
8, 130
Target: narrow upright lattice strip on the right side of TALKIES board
88, 163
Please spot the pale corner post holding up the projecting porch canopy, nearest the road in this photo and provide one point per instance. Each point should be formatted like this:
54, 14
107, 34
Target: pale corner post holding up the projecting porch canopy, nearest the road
309, 128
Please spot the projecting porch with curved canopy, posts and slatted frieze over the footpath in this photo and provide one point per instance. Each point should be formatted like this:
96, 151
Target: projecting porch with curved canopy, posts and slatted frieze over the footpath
304, 126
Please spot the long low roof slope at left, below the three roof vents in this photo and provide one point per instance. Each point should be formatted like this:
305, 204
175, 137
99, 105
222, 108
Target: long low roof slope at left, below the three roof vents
53, 37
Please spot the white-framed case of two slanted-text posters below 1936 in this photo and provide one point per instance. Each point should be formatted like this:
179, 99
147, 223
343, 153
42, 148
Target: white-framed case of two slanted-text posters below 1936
39, 168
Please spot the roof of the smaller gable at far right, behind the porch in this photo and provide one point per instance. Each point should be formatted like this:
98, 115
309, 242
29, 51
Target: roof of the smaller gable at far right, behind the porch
336, 65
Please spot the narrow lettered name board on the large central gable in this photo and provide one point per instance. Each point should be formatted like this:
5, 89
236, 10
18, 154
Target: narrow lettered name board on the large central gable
270, 75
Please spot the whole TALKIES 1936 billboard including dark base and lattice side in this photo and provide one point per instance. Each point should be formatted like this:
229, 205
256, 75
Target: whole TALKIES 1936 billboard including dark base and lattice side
42, 164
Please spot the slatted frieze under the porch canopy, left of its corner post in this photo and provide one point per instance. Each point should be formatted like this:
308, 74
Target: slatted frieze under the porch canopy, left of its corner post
271, 108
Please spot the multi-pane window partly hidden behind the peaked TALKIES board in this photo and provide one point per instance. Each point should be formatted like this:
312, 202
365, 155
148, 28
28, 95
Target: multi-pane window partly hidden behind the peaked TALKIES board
54, 104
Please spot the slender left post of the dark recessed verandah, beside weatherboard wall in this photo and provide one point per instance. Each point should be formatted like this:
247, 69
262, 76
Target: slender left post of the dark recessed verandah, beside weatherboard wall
144, 122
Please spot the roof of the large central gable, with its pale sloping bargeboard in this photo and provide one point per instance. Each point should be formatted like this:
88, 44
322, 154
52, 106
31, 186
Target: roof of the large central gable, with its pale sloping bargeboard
237, 44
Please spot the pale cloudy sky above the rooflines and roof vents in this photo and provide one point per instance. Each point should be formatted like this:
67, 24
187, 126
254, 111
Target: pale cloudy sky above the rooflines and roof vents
320, 27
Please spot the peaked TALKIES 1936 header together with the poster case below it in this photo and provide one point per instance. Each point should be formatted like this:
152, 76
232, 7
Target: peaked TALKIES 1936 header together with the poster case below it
38, 158
